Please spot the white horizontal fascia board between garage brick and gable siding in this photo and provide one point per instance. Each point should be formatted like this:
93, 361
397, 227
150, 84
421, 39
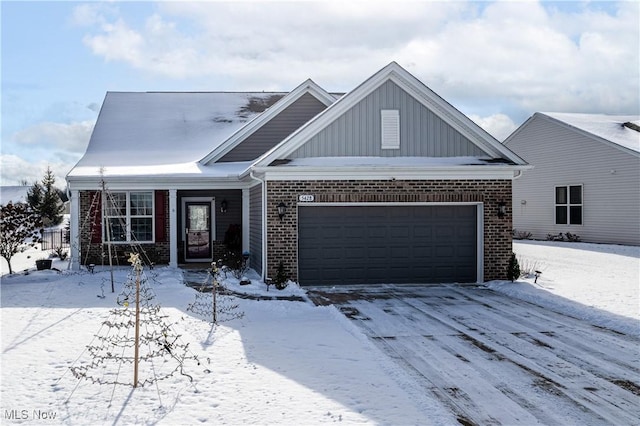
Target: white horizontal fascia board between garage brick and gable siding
386, 173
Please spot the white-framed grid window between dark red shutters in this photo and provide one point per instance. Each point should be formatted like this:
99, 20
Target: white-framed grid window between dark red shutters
129, 217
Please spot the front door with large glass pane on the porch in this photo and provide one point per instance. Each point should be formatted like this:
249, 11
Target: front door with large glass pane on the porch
198, 231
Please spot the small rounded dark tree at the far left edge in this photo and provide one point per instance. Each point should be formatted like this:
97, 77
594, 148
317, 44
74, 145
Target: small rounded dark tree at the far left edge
19, 226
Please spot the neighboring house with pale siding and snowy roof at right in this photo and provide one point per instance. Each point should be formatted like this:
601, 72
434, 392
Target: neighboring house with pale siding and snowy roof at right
586, 177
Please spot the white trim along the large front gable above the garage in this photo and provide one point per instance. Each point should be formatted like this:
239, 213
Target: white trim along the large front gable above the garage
411, 85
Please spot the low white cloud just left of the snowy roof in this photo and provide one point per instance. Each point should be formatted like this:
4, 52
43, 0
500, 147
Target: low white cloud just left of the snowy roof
72, 137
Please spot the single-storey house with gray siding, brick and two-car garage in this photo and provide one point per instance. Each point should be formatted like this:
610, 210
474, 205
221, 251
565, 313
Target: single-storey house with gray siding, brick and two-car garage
387, 183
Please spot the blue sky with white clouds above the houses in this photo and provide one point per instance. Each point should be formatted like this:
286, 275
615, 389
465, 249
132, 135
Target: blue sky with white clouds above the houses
497, 62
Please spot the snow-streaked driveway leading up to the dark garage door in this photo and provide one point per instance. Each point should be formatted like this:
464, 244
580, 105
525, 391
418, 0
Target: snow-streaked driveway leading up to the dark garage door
492, 359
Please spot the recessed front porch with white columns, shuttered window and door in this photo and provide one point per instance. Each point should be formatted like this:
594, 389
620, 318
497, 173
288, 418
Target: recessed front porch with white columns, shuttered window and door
185, 227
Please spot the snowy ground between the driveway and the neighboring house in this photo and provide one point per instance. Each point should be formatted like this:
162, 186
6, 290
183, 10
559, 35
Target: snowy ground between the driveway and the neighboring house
599, 282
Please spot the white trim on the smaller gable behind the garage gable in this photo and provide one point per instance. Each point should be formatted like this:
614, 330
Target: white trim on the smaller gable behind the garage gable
252, 126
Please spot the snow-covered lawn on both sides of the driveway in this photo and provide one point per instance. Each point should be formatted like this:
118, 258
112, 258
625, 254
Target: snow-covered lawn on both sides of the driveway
283, 362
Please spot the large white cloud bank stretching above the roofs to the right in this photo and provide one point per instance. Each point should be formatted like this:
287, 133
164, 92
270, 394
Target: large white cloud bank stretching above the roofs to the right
526, 55
